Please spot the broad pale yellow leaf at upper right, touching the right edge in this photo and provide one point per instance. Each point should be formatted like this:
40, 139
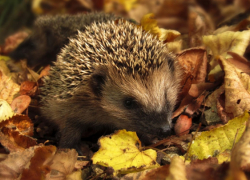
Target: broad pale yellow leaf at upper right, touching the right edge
221, 43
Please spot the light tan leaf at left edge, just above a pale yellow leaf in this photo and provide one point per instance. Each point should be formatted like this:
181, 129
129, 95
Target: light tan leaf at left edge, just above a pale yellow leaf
8, 88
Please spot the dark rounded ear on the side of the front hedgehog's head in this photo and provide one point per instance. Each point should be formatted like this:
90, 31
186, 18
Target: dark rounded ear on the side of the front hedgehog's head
98, 79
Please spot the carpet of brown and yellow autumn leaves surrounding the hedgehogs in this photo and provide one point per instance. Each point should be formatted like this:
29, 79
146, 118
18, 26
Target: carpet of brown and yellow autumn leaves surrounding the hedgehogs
214, 90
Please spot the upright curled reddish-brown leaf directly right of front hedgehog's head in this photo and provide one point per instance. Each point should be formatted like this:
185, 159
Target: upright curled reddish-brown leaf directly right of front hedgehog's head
193, 63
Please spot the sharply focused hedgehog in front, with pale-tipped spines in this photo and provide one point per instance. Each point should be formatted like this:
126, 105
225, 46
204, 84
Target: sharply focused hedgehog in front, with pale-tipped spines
113, 75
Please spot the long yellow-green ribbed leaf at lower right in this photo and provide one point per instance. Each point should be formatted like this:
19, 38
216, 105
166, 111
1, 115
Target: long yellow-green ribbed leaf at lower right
210, 143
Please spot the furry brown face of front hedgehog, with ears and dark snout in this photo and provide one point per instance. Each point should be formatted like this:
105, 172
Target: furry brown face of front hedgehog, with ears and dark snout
142, 104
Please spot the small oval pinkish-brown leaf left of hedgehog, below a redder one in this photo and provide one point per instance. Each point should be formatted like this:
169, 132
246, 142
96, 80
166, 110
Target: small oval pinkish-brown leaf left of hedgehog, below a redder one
20, 103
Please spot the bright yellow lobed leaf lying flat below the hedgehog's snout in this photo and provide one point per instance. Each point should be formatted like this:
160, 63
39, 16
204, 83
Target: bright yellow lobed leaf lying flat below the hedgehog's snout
120, 151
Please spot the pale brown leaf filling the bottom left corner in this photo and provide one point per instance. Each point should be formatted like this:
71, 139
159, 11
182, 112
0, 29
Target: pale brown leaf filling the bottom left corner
13, 165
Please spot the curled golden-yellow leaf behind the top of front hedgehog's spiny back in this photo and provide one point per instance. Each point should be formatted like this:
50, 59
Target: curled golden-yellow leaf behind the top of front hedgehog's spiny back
149, 24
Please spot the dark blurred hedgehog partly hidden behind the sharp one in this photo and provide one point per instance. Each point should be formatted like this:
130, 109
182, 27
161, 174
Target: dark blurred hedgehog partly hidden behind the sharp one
50, 34
